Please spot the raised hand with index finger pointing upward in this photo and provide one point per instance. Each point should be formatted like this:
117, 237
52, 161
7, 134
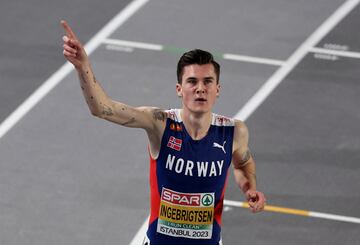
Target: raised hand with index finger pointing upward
73, 51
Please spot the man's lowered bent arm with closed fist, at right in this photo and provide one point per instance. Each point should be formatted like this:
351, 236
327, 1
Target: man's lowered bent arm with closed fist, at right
244, 168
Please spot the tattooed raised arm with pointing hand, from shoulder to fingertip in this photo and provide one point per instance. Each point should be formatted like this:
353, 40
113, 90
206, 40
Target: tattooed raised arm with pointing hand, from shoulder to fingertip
149, 118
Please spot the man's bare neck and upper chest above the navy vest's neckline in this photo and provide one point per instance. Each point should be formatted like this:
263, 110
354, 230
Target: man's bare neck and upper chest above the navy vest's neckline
196, 124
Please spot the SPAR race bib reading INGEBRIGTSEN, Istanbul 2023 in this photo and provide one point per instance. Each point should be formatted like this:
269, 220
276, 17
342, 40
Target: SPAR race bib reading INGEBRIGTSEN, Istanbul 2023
188, 215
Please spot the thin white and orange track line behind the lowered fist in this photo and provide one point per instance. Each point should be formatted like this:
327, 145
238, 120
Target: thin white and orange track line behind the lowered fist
298, 212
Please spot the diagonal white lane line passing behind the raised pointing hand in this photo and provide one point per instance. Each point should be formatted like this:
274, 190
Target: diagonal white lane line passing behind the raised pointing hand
59, 75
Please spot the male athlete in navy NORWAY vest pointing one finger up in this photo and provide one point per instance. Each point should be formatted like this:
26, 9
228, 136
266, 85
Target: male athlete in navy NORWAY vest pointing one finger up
190, 148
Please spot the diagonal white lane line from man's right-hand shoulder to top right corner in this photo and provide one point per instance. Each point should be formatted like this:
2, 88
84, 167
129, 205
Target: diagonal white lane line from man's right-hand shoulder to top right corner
268, 87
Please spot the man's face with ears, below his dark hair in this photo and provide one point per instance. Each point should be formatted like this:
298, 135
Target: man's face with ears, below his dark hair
199, 88
